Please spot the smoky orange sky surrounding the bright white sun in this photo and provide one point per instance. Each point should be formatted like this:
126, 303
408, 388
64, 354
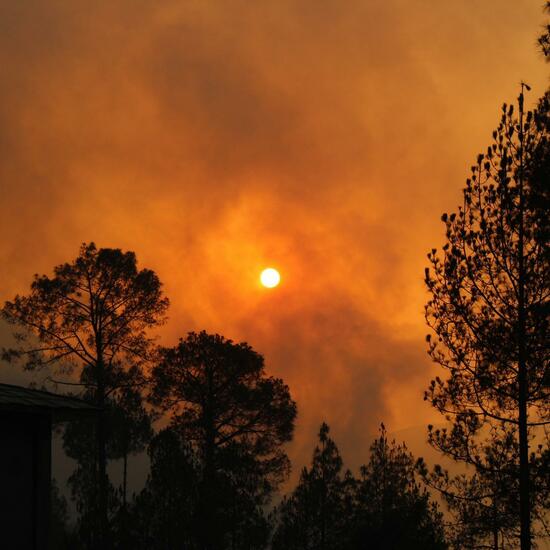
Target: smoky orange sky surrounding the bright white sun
214, 138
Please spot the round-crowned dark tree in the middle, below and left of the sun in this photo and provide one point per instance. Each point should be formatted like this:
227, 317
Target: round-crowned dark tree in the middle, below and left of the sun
233, 415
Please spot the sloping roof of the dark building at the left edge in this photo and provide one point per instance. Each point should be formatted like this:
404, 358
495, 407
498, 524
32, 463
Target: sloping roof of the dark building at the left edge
17, 398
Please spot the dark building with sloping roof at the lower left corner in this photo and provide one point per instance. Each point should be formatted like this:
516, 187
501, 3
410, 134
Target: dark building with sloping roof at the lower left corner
26, 418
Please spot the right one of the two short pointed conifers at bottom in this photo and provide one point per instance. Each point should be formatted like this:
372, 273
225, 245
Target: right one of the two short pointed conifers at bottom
393, 509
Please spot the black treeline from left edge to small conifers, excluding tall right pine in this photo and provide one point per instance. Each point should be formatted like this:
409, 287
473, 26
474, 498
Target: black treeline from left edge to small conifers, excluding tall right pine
217, 463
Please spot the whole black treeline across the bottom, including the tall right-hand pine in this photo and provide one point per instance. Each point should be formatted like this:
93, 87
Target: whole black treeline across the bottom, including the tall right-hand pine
218, 462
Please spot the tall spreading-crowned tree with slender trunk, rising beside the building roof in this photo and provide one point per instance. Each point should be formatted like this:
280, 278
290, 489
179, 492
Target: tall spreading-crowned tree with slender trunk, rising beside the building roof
91, 317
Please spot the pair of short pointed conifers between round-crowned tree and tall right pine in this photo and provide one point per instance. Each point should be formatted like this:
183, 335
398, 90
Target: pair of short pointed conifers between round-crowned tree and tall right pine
385, 507
